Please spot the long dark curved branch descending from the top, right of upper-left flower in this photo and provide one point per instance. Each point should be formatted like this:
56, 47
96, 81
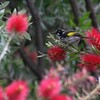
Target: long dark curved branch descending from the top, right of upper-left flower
39, 38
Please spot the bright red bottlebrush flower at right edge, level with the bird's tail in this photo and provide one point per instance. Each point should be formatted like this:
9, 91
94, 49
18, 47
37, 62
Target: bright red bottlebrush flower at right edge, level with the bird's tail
94, 38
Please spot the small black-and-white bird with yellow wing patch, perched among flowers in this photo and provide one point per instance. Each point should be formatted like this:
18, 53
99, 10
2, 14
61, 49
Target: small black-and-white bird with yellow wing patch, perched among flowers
70, 37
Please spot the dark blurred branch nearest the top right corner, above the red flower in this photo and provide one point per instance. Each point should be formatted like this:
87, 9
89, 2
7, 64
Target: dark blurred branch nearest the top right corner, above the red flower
89, 7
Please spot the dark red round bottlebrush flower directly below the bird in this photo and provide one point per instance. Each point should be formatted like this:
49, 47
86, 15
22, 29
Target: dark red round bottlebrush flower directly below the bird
56, 53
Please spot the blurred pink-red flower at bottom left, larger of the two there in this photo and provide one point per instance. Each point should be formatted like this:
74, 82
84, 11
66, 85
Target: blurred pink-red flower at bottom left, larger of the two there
18, 90
